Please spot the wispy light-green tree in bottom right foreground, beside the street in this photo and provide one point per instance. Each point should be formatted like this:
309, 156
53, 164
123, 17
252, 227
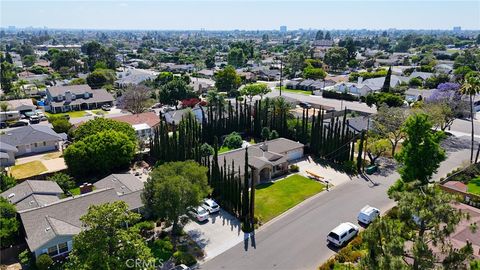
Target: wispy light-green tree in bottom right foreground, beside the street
418, 238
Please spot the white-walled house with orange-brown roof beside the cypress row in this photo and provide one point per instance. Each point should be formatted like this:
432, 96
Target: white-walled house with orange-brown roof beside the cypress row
143, 123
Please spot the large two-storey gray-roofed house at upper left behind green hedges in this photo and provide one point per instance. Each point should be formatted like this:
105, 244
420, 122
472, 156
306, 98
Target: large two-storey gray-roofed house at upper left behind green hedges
76, 97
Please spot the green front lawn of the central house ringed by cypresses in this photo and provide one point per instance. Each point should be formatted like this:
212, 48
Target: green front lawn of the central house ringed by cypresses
272, 199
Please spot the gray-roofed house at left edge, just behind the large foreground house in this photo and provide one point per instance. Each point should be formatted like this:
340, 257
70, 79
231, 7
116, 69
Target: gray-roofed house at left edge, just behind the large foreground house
32, 194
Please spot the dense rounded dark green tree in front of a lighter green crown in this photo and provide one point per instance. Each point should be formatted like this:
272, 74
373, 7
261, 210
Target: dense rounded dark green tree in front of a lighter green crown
100, 153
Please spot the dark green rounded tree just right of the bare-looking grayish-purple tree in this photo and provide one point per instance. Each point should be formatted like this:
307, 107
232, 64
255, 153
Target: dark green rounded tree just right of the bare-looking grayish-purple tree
174, 91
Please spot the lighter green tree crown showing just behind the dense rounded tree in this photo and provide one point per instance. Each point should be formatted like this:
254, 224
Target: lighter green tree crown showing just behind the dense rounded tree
97, 125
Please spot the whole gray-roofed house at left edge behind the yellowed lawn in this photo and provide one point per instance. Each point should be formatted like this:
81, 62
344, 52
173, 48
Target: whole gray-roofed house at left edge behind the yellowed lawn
32, 139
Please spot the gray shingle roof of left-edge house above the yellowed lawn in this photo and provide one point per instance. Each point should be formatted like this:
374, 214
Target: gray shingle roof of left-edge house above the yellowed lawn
29, 134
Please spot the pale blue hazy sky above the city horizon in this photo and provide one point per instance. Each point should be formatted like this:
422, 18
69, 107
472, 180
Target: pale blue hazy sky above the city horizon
249, 14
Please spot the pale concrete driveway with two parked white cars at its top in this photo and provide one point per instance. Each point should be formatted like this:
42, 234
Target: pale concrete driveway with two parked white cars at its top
220, 233
